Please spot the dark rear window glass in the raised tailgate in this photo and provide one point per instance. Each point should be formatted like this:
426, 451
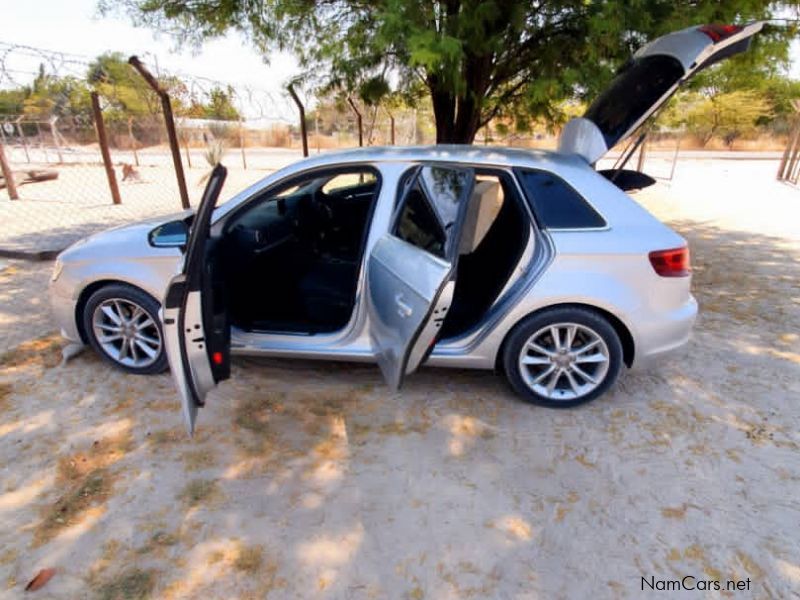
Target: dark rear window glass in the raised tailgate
634, 93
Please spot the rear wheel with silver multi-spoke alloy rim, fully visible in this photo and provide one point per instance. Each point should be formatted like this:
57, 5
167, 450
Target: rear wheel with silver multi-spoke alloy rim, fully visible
582, 373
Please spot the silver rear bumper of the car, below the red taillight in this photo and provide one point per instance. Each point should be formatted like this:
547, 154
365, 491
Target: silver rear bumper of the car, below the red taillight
665, 337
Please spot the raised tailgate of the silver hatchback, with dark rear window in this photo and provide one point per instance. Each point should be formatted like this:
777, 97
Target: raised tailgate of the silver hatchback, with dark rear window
647, 81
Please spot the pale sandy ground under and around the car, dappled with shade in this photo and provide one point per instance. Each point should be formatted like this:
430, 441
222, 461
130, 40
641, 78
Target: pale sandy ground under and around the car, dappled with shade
310, 480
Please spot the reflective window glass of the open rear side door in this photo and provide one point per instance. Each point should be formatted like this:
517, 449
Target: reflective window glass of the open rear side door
430, 208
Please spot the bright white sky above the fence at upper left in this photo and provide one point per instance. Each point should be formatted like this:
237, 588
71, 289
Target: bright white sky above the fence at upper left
73, 26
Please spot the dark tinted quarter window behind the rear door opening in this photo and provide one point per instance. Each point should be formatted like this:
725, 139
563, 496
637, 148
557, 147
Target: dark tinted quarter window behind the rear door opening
557, 205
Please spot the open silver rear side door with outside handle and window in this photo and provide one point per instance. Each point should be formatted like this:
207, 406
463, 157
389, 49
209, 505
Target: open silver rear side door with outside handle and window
411, 270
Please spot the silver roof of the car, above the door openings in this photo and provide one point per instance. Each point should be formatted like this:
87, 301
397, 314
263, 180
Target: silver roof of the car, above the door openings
477, 155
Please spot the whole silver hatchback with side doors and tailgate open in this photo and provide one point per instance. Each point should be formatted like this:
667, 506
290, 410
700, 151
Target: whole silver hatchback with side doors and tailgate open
529, 262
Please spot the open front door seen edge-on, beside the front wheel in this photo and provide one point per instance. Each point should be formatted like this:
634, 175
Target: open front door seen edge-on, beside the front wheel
196, 328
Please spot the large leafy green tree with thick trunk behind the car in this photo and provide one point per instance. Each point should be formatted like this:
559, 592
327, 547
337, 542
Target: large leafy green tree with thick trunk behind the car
477, 59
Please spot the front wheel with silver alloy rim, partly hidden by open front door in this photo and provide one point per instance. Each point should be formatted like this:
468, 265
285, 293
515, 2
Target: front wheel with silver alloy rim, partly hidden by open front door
139, 328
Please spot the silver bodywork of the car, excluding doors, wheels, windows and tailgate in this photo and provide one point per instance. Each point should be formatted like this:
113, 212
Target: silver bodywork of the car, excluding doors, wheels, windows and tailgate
631, 233
